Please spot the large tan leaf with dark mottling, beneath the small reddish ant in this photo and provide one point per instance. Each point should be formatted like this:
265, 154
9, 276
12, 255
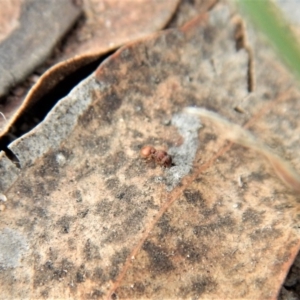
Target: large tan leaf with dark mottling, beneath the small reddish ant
86, 217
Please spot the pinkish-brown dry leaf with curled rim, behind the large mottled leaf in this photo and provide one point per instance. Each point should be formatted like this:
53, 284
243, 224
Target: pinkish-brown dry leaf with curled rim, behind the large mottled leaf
108, 25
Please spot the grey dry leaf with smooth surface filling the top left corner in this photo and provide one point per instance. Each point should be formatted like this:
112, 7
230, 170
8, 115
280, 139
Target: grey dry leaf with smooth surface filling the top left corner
25, 45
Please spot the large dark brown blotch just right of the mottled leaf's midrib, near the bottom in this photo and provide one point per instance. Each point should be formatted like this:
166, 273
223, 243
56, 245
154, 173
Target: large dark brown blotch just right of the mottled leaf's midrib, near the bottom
159, 261
